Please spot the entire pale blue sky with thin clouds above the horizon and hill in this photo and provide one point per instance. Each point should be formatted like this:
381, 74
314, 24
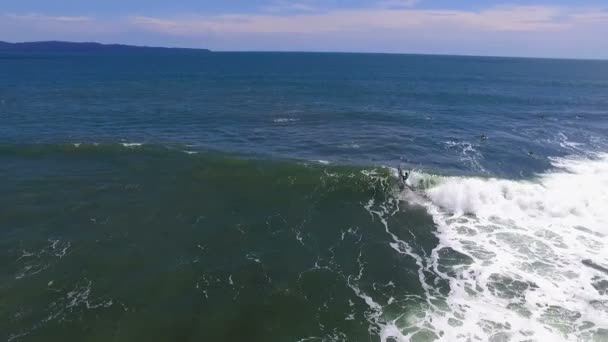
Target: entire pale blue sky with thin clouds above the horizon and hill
535, 28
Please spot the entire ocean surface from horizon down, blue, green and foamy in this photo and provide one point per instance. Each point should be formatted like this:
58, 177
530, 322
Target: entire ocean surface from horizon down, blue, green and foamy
254, 197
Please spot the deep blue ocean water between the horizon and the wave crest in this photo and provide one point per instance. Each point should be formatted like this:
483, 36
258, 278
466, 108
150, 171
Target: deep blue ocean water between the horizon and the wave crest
346, 108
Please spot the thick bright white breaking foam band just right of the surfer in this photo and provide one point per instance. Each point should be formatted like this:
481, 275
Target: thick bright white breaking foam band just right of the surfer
575, 195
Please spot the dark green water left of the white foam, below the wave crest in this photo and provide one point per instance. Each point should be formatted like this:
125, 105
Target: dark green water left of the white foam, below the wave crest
111, 243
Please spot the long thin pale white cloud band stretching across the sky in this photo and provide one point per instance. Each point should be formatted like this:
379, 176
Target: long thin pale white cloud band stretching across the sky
514, 18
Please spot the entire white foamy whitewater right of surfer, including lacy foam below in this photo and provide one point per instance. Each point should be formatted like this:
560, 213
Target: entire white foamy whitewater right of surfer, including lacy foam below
526, 247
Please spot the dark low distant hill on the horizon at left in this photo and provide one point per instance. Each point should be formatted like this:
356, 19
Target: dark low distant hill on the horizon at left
58, 46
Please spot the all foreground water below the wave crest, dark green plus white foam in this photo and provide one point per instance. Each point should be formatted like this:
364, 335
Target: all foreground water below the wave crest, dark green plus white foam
128, 234
